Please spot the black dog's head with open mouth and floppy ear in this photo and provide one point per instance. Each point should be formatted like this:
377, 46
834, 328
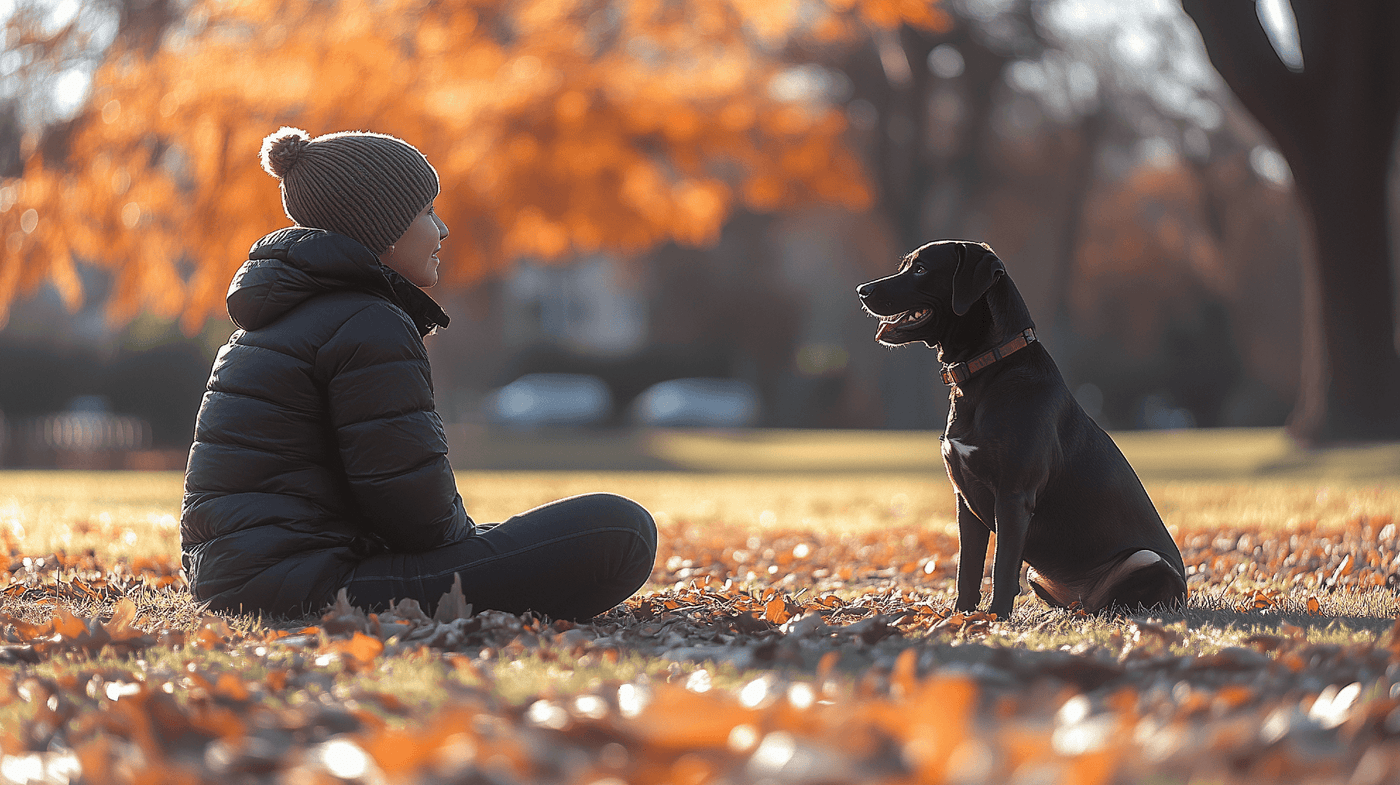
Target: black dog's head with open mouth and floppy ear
933, 289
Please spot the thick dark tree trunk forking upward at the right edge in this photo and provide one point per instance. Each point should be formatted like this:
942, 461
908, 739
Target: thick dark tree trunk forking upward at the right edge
1333, 115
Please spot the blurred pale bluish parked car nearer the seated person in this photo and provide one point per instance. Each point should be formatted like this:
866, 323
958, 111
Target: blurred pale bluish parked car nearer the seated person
551, 399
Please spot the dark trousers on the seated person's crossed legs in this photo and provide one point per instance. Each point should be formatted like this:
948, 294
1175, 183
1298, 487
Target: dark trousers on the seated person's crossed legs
570, 559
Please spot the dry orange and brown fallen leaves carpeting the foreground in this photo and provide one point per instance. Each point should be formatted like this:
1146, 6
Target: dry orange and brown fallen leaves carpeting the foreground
793, 658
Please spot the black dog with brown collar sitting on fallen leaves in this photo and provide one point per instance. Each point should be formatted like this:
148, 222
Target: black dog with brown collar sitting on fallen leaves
1024, 458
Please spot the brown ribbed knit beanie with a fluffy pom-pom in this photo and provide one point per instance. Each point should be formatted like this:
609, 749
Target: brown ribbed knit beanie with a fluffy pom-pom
367, 187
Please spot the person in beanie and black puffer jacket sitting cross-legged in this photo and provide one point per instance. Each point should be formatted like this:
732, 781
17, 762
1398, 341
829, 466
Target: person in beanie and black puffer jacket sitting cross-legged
320, 462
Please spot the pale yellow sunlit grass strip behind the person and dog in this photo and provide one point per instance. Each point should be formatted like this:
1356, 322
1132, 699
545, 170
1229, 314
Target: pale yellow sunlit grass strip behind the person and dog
136, 514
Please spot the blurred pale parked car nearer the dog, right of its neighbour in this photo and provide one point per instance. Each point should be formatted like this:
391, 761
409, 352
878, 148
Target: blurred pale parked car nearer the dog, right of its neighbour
698, 402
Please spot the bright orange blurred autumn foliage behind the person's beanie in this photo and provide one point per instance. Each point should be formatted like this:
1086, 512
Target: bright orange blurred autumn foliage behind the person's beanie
558, 127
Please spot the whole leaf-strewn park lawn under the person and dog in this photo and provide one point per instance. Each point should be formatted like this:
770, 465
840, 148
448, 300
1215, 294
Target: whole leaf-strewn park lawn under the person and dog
797, 629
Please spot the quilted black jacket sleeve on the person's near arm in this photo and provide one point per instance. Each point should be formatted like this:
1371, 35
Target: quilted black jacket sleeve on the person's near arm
388, 433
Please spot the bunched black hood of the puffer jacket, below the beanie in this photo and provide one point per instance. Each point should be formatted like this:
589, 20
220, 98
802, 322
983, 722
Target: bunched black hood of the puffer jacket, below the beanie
295, 265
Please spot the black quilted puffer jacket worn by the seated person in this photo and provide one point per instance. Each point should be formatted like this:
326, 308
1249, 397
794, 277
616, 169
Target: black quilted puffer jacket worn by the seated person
317, 443
